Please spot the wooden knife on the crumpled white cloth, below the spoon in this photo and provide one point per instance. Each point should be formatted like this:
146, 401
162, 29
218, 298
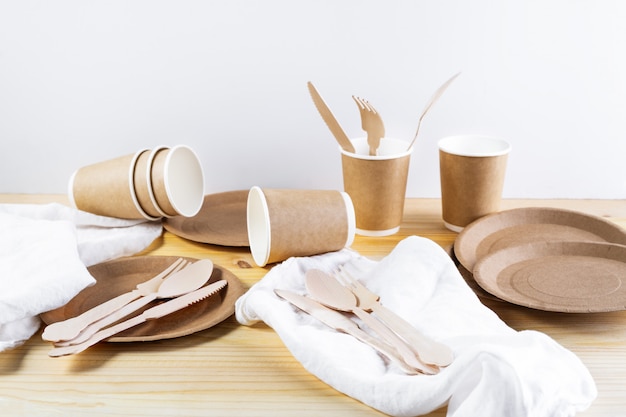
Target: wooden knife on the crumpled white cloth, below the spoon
339, 322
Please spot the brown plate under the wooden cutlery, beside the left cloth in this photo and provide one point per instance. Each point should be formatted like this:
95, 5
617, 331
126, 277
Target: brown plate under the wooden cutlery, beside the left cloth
122, 275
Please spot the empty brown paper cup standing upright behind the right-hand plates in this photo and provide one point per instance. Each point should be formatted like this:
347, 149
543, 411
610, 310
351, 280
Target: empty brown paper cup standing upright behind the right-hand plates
472, 170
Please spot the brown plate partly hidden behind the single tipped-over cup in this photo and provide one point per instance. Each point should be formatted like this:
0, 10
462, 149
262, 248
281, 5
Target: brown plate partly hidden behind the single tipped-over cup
220, 221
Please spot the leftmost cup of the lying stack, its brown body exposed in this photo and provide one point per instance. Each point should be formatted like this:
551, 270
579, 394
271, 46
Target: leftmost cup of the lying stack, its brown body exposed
106, 188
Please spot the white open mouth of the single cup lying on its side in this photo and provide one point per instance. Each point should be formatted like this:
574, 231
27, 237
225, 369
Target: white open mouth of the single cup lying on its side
259, 229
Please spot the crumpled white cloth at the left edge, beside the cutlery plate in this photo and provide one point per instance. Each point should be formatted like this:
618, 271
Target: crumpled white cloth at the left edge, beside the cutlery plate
44, 254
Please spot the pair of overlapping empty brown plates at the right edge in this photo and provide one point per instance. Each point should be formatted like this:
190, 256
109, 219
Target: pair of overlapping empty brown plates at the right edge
547, 259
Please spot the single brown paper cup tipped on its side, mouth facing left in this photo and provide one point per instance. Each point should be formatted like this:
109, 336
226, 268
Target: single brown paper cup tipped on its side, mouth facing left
284, 223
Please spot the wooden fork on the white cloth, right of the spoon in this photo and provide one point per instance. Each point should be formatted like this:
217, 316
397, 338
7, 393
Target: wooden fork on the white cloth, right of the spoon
428, 350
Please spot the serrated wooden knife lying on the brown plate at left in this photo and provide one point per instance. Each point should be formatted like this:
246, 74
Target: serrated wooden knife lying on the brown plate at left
152, 313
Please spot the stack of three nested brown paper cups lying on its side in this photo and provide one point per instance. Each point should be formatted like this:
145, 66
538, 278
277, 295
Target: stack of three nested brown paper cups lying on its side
149, 184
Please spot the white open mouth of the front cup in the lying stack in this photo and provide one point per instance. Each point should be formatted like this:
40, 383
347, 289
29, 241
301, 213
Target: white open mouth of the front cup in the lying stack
184, 180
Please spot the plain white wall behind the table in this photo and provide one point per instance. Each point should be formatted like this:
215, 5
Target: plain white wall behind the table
82, 81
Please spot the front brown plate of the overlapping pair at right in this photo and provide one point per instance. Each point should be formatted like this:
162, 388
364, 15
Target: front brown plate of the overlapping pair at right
571, 277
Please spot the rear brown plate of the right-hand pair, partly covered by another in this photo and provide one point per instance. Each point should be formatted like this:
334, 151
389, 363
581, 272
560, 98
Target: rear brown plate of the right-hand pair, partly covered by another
527, 225
